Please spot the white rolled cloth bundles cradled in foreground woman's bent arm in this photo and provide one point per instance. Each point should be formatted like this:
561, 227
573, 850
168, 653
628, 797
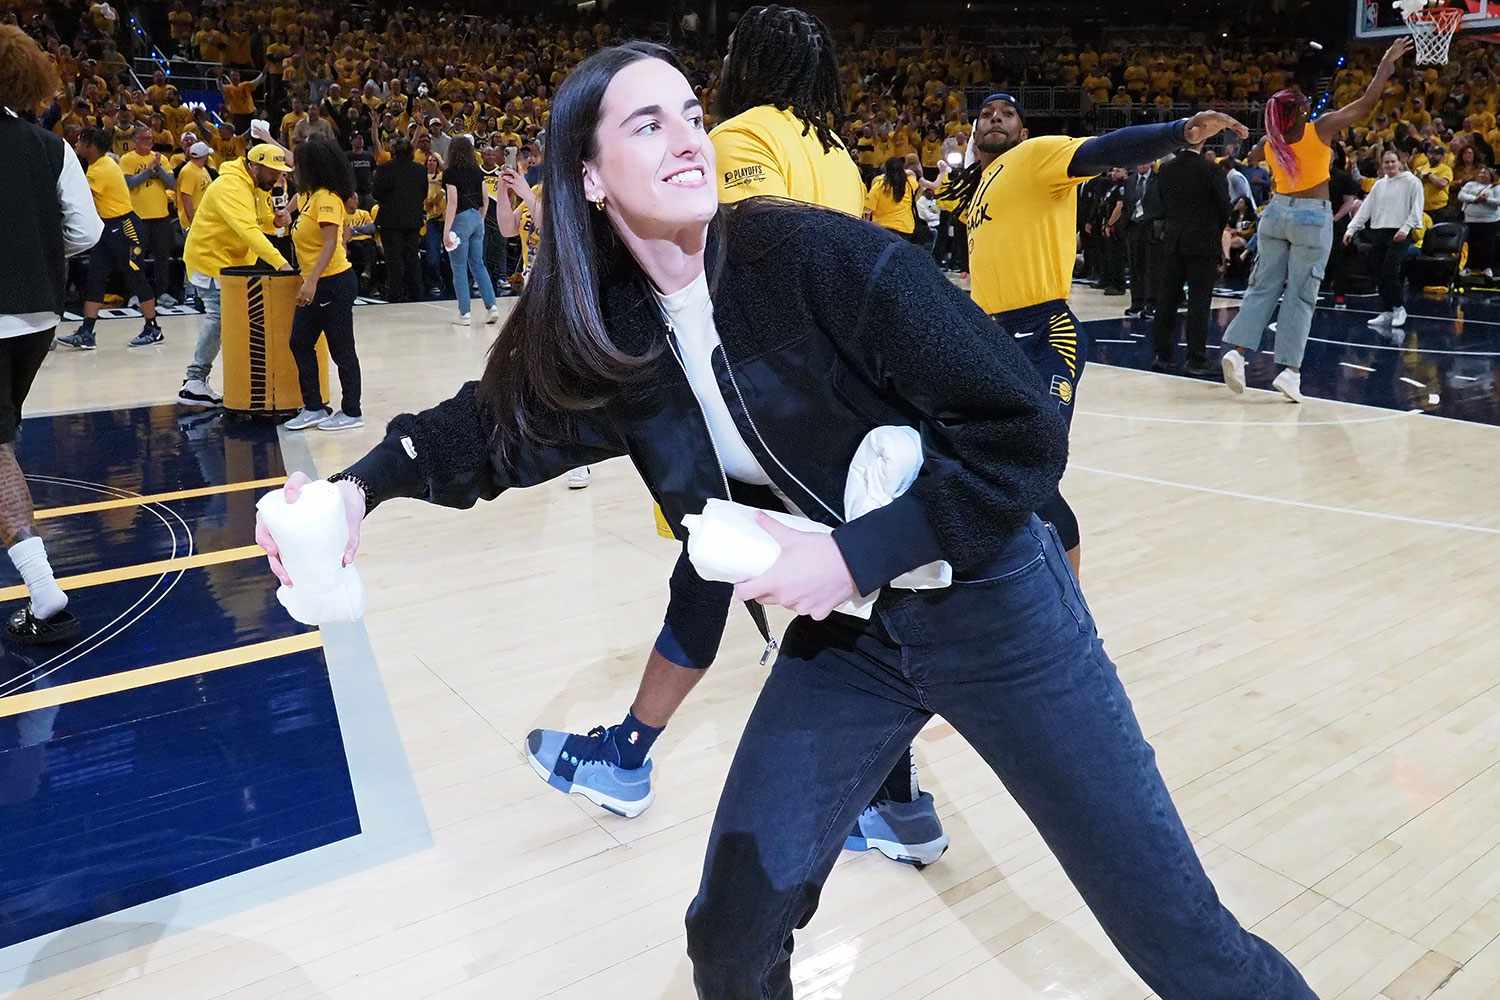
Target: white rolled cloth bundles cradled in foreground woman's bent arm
728, 546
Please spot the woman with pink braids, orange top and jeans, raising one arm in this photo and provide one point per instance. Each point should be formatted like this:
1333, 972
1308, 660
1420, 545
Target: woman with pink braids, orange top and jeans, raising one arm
1297, 229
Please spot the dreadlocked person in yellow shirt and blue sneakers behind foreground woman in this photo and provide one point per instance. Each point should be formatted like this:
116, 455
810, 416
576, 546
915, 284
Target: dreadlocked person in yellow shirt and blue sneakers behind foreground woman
782, 106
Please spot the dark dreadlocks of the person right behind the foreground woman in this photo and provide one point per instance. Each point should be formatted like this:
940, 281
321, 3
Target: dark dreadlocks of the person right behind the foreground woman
787, 59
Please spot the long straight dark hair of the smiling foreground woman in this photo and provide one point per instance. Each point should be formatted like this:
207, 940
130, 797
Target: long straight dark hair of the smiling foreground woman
554, 355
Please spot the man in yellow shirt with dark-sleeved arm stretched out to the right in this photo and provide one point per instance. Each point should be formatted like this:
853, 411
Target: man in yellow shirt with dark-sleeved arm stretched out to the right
1019, 200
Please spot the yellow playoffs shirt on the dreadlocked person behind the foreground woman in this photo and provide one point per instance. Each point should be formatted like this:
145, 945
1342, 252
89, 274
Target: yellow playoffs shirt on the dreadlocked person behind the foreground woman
764, 152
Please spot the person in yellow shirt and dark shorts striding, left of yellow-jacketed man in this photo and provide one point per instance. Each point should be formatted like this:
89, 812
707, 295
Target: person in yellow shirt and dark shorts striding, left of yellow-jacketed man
119, 250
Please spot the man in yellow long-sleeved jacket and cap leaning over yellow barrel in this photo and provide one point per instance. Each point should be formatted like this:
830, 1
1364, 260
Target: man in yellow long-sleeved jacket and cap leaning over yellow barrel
227, 232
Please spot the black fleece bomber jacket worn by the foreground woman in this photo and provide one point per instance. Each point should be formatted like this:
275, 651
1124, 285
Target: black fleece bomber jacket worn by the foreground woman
830, 329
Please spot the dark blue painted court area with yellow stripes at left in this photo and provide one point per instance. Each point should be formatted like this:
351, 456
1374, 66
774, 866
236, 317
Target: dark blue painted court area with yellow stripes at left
194, 732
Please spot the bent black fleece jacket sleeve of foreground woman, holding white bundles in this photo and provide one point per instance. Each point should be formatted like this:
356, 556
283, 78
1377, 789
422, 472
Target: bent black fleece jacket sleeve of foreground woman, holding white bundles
995, 445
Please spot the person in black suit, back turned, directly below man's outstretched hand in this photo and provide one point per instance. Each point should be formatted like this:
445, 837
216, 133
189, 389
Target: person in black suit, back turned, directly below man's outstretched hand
1195, 202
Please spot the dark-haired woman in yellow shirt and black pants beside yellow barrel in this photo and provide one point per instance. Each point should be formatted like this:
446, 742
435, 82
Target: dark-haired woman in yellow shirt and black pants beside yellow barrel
329, 287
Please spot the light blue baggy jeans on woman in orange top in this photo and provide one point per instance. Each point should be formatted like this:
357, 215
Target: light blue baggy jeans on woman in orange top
1295, 236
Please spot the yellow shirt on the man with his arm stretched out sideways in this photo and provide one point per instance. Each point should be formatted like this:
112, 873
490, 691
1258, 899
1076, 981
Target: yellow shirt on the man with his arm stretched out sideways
1024, 226
